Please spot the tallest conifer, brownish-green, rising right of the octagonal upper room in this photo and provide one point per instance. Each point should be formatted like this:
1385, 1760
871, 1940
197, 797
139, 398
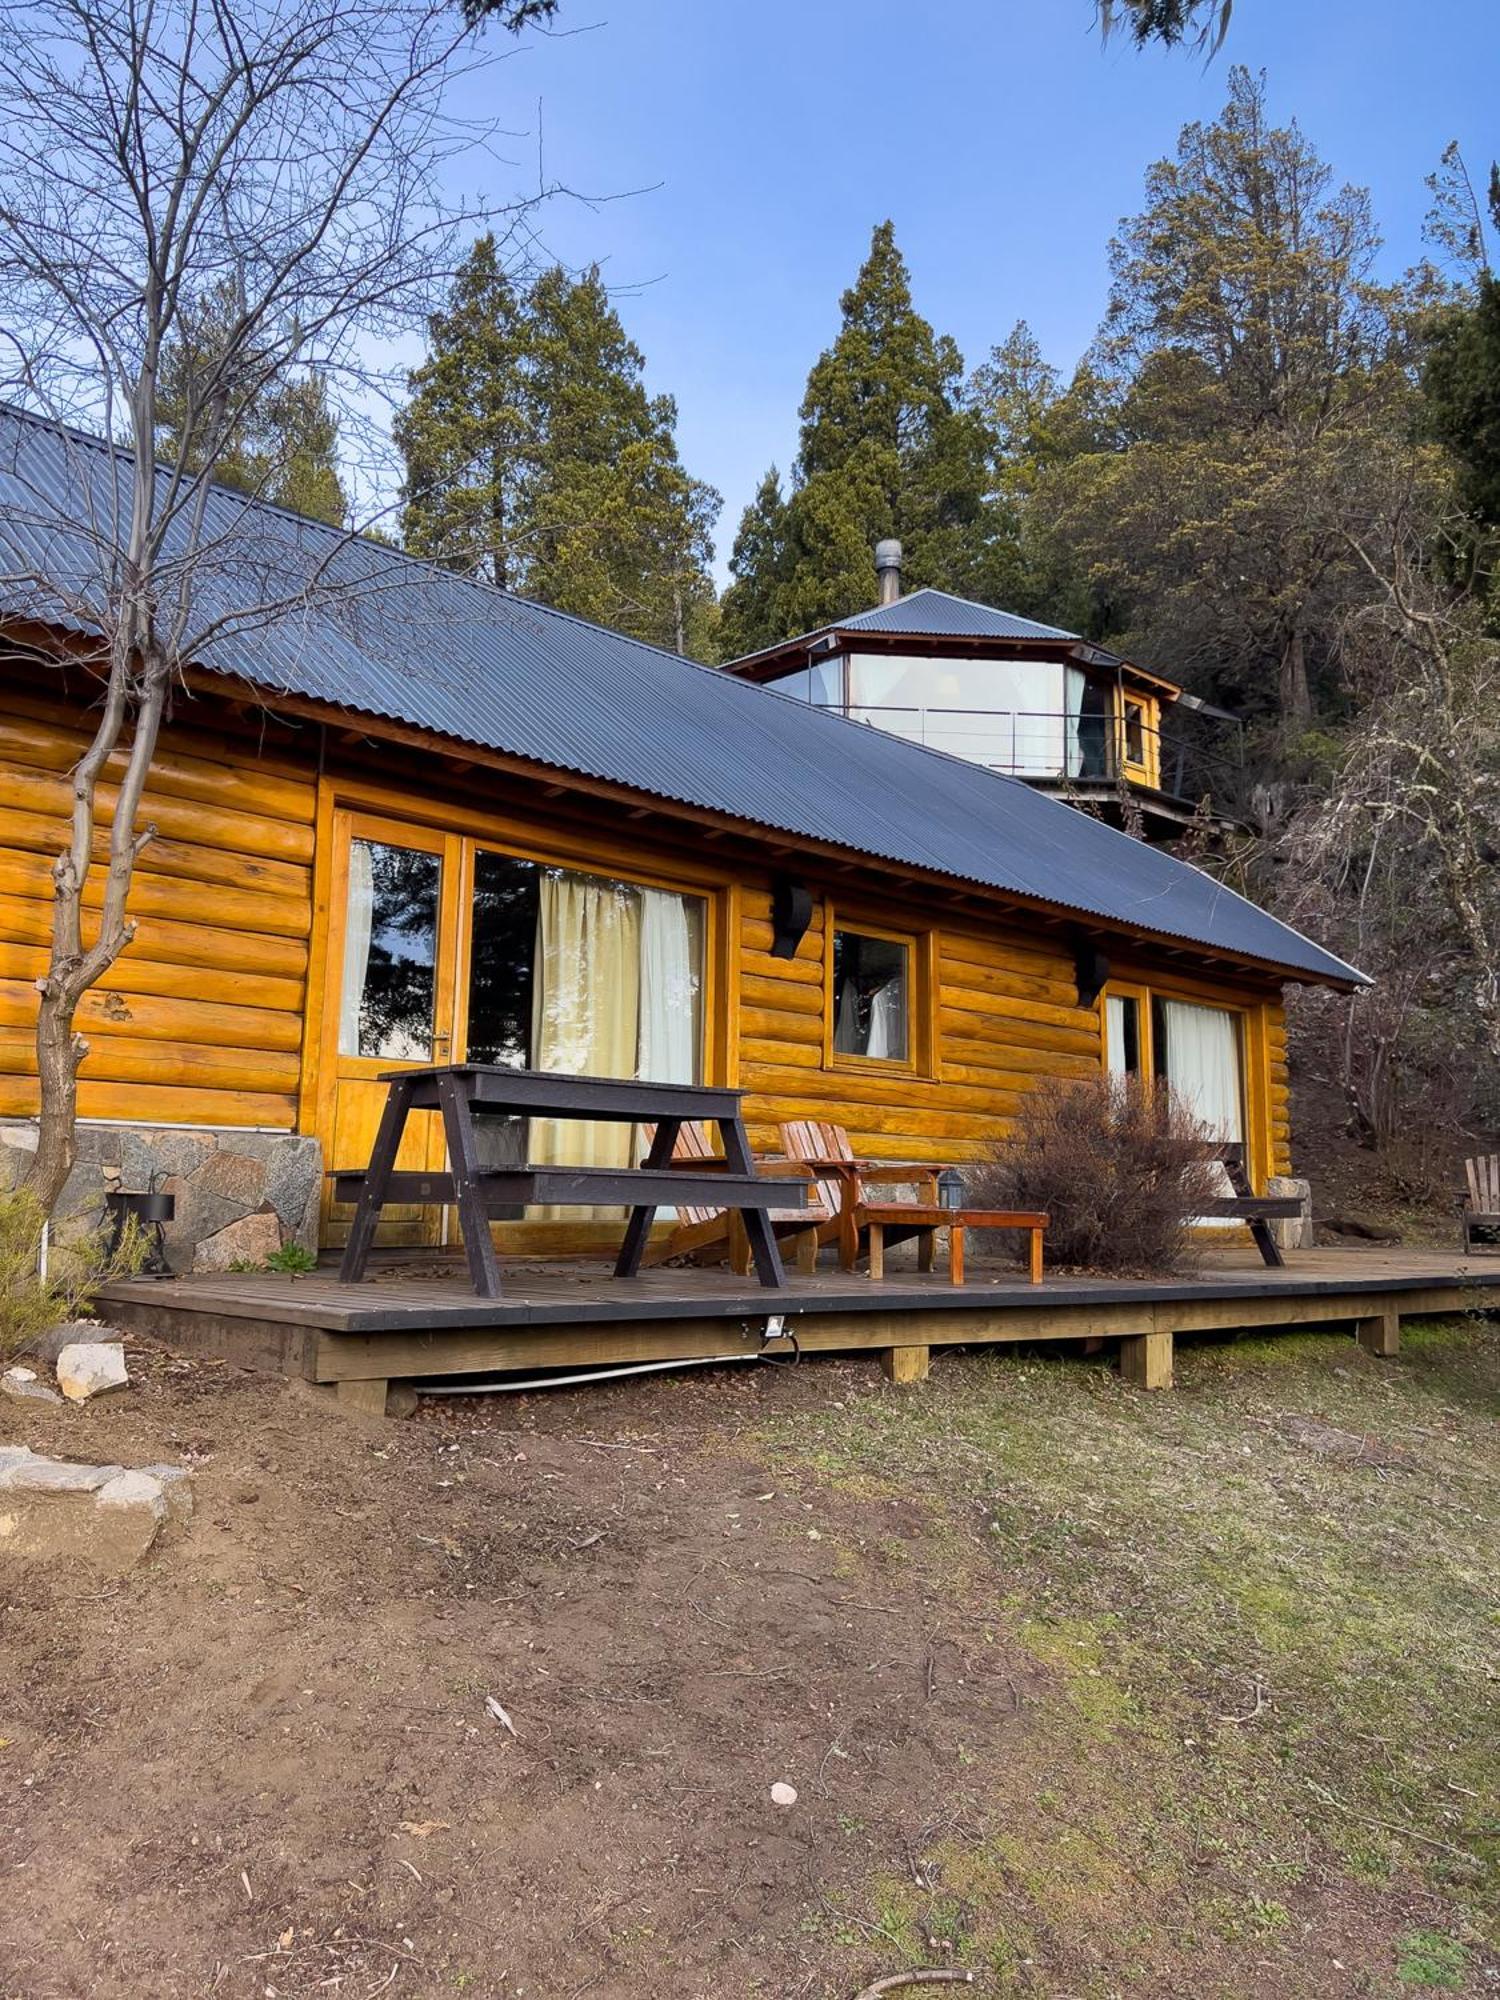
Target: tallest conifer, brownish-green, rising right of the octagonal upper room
1251, 397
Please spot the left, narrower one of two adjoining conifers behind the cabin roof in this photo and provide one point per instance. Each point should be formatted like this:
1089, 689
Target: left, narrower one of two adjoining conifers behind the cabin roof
469, 431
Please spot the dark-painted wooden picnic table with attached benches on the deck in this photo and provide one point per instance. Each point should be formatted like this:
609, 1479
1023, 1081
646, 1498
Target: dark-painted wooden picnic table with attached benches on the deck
467, 1093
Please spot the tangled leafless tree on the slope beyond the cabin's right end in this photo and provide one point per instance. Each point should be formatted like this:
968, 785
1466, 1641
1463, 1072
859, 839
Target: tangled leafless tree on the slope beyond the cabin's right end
1399, 855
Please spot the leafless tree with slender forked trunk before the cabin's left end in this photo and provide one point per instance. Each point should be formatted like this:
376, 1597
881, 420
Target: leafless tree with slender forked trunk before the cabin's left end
277, 171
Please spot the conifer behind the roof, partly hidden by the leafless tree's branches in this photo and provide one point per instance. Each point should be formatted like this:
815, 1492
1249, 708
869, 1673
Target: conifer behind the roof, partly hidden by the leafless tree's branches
283, 435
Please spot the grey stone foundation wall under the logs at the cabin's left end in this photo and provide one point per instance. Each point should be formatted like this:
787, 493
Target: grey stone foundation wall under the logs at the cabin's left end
239, 1195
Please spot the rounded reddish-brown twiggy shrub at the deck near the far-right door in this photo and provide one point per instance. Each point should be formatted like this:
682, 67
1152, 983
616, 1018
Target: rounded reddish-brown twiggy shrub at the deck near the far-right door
1117, 1163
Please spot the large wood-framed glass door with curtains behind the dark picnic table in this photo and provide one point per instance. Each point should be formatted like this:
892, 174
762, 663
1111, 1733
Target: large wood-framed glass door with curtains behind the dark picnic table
447, 949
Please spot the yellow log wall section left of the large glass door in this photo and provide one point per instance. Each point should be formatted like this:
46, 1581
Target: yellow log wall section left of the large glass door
201, 1021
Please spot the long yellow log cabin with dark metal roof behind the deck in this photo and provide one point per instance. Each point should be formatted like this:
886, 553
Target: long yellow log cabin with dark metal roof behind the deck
409, 819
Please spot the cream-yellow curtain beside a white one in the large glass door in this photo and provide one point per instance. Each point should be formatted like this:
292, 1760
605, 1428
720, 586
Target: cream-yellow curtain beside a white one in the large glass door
585, 1013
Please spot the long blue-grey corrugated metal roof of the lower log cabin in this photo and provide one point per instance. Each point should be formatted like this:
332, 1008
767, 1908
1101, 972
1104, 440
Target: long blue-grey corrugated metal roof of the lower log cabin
385, 635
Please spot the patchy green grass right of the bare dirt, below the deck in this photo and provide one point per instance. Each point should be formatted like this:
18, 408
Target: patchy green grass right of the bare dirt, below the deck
1267, 1601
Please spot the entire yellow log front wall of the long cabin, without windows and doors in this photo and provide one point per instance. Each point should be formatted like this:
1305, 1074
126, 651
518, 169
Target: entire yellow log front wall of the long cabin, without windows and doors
203, 1019
